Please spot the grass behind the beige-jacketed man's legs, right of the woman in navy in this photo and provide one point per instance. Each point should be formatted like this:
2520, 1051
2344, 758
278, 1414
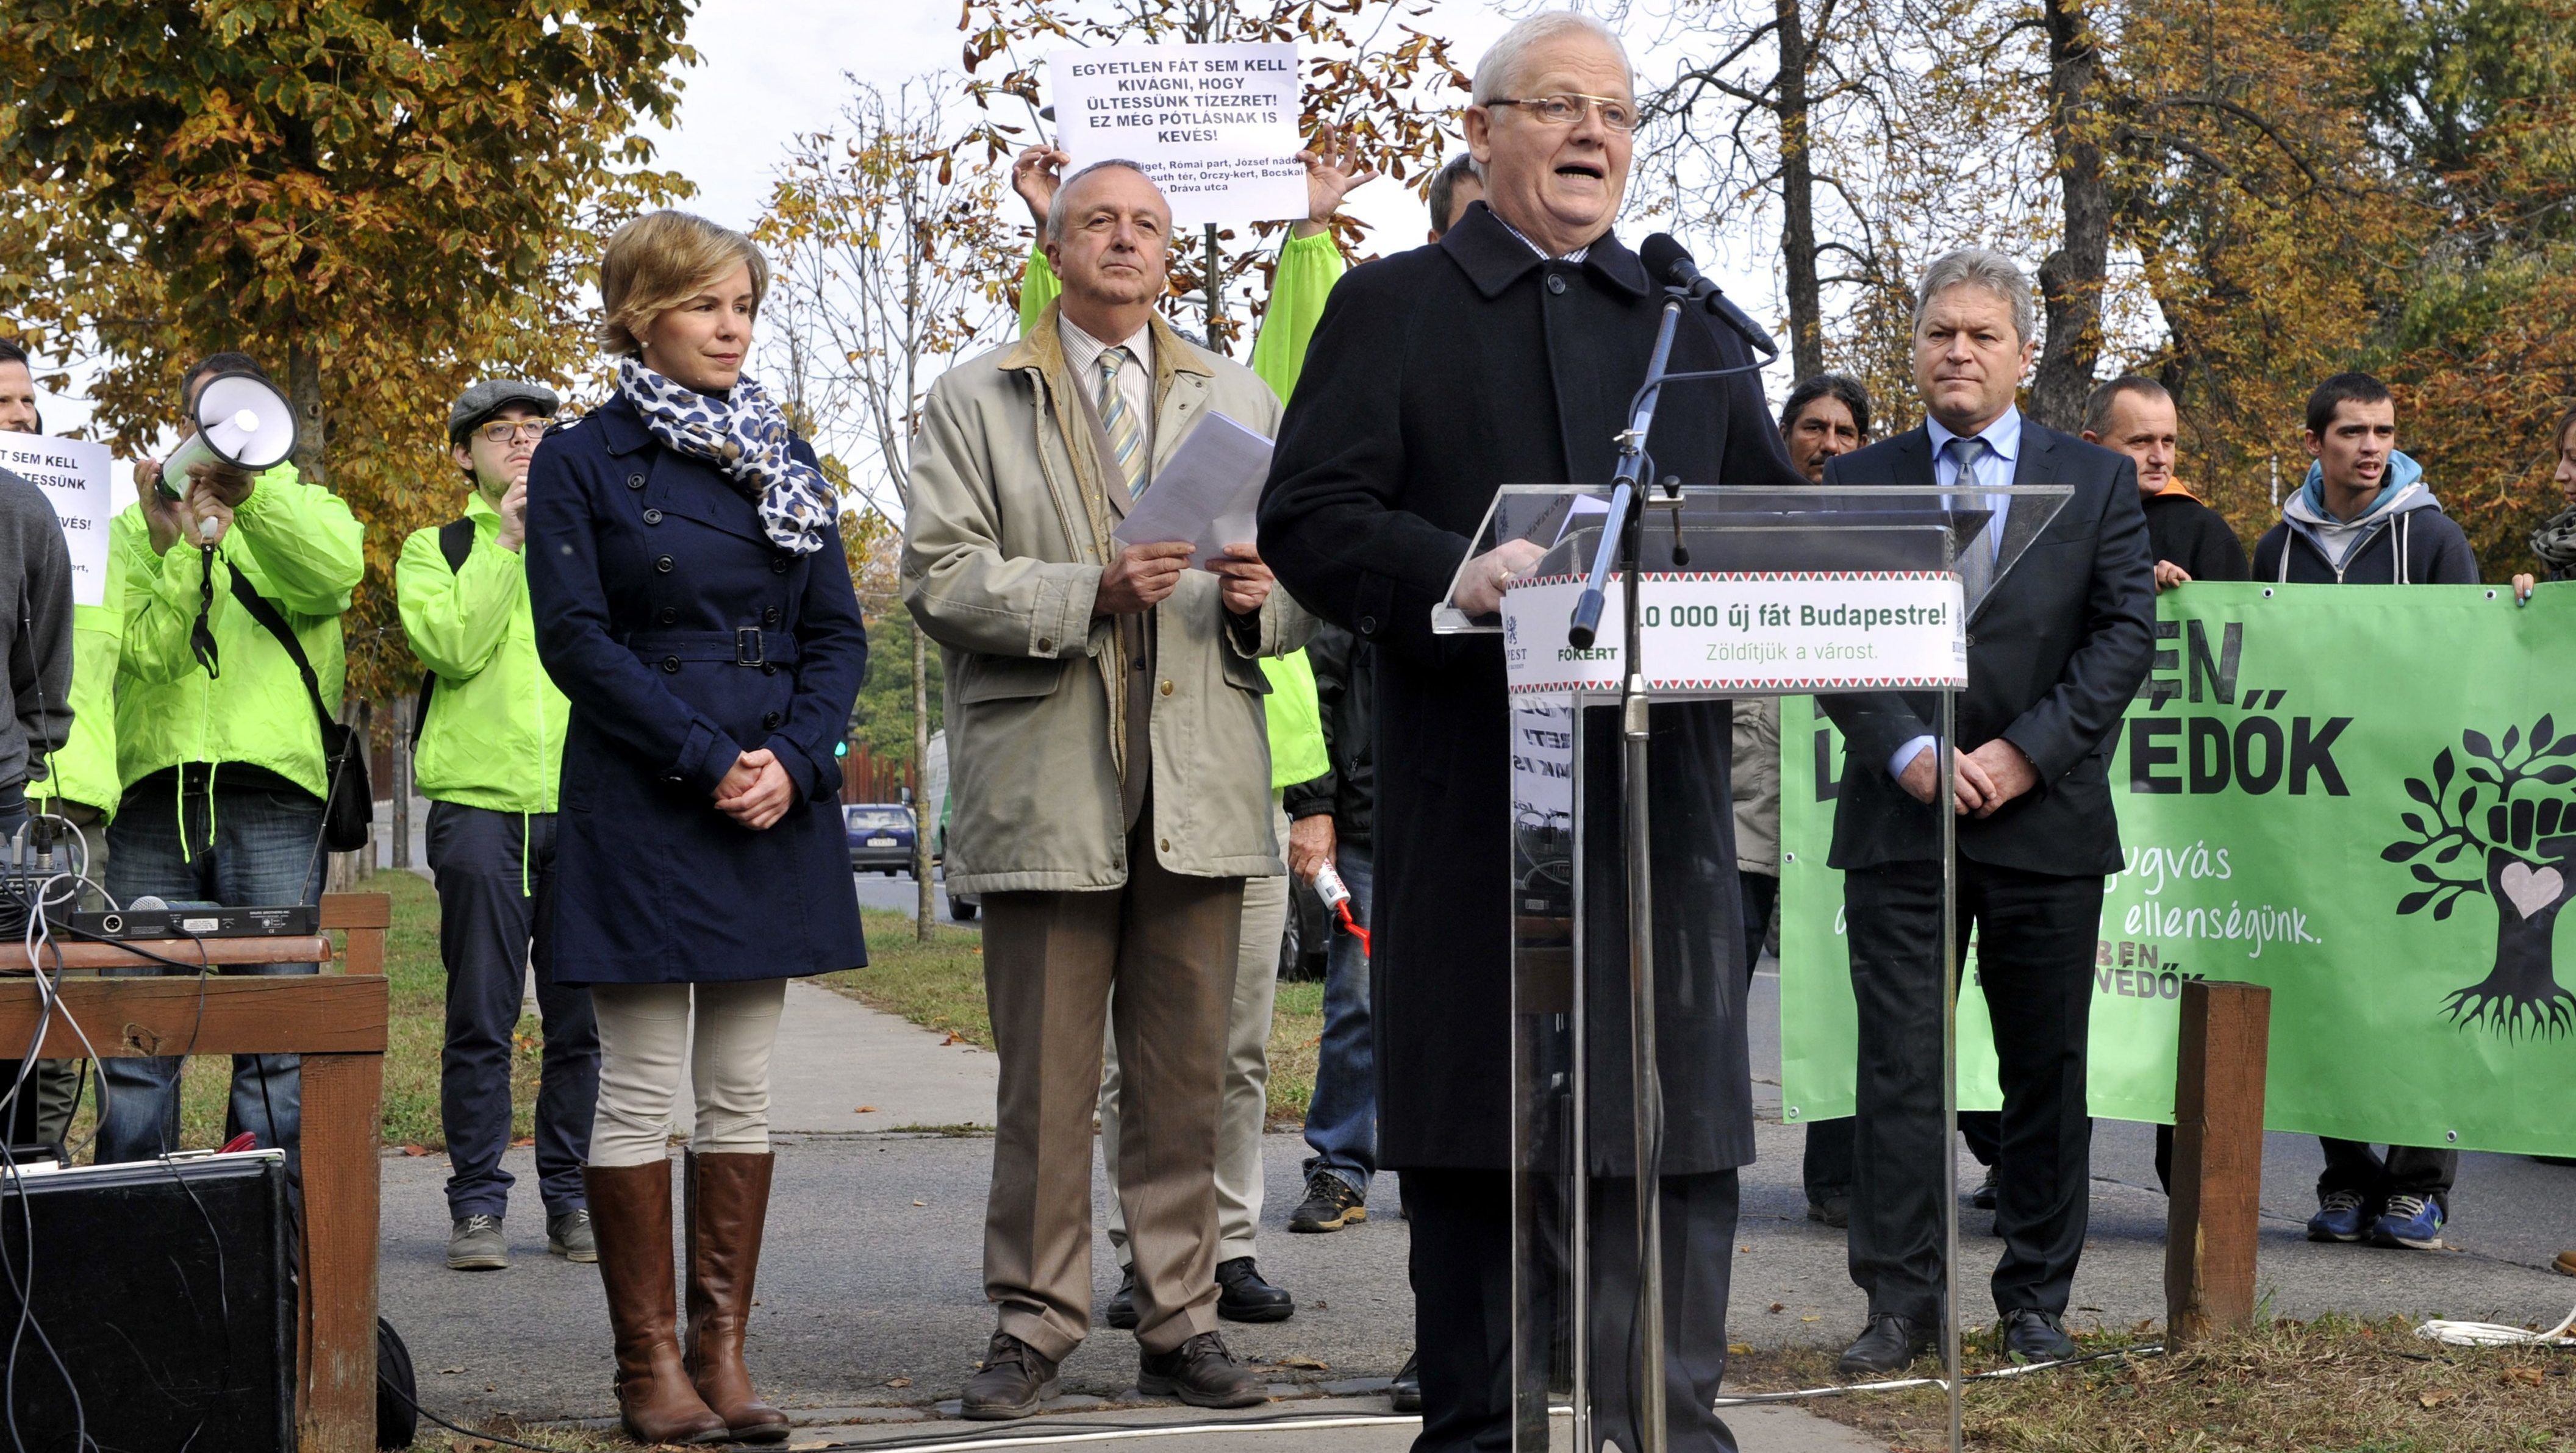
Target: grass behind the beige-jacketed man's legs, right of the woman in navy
942, 985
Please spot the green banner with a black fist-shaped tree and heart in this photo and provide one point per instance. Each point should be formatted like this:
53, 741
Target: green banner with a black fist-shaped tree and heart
2361, 797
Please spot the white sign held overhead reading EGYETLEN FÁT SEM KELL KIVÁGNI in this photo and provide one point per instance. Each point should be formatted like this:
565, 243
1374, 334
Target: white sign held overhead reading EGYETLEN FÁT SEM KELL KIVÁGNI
1217, 128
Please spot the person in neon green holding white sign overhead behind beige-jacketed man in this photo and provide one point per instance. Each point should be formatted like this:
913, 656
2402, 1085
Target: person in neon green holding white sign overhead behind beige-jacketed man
1307, 269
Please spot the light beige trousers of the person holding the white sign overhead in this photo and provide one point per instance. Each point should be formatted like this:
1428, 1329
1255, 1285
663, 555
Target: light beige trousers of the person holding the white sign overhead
1245, 1109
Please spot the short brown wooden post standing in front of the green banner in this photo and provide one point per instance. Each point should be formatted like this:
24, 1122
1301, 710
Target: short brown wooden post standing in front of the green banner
2217, 1202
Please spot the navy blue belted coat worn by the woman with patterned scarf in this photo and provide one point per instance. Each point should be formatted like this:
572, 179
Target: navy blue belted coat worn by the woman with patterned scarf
684, 638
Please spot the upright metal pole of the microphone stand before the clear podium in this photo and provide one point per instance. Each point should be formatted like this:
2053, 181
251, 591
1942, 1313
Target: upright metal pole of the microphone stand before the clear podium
1645, 1073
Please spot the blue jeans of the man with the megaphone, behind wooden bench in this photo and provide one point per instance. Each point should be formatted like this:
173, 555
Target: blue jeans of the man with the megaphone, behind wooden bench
241, 849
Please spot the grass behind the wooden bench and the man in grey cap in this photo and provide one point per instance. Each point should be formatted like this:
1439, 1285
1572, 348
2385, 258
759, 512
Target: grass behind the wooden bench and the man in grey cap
419, 985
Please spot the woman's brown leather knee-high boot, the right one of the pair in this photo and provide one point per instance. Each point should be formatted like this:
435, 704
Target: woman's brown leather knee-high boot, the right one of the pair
728, 1204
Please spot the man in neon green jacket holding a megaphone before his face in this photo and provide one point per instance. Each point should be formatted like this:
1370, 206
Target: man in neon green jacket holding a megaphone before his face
223, 774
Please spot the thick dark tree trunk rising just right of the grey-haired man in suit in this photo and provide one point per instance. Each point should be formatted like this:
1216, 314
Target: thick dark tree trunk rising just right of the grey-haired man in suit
2072, 277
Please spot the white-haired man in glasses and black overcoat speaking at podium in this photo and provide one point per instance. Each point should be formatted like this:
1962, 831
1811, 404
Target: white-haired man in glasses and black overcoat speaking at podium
1506, 354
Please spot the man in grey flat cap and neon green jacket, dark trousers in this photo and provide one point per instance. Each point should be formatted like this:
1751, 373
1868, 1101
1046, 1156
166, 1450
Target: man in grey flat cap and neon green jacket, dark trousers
491, 756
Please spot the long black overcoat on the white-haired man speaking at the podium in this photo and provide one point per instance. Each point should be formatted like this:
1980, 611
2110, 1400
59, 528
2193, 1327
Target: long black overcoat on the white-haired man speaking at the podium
1436, 377
